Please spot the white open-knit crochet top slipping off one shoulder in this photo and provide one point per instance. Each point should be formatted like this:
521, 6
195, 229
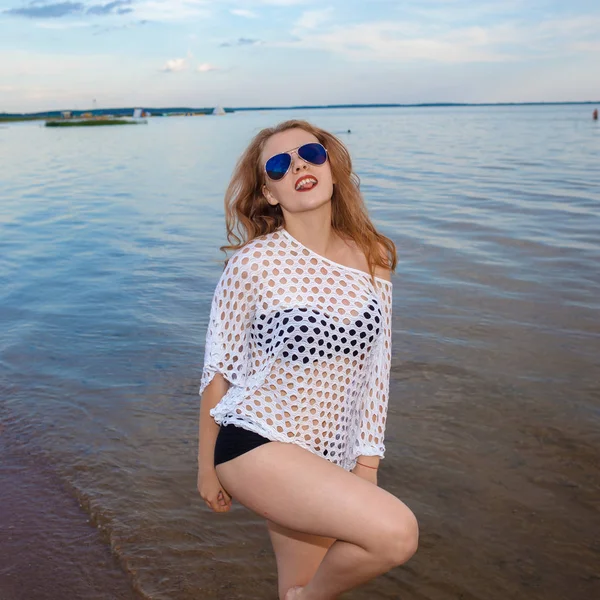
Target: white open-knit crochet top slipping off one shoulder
305, 343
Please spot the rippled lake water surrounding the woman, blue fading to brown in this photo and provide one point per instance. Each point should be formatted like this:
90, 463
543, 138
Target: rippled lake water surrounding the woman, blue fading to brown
108, 259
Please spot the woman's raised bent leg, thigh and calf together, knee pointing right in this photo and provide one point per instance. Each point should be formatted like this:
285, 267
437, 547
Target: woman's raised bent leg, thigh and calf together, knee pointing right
291, 486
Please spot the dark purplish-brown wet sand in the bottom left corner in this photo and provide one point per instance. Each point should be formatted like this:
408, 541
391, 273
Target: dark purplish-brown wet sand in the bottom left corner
49, 550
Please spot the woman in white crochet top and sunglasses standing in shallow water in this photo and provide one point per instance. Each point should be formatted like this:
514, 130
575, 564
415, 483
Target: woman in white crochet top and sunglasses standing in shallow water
296, 369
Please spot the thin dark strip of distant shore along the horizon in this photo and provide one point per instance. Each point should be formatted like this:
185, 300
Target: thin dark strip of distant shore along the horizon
172, 111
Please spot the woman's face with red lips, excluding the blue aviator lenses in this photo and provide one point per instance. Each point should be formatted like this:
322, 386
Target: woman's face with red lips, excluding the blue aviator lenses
295, 192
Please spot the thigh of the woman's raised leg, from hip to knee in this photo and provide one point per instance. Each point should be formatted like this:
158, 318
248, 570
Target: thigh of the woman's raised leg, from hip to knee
301, 491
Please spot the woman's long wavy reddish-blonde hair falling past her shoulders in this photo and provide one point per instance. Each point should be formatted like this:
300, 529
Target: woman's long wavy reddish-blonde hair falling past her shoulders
248, 215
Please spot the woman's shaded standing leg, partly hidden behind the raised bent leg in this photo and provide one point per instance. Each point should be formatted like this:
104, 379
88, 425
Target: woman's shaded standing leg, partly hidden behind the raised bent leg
298, 555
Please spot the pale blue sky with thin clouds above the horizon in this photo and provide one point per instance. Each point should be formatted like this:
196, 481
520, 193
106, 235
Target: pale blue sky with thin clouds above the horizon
81, 54
